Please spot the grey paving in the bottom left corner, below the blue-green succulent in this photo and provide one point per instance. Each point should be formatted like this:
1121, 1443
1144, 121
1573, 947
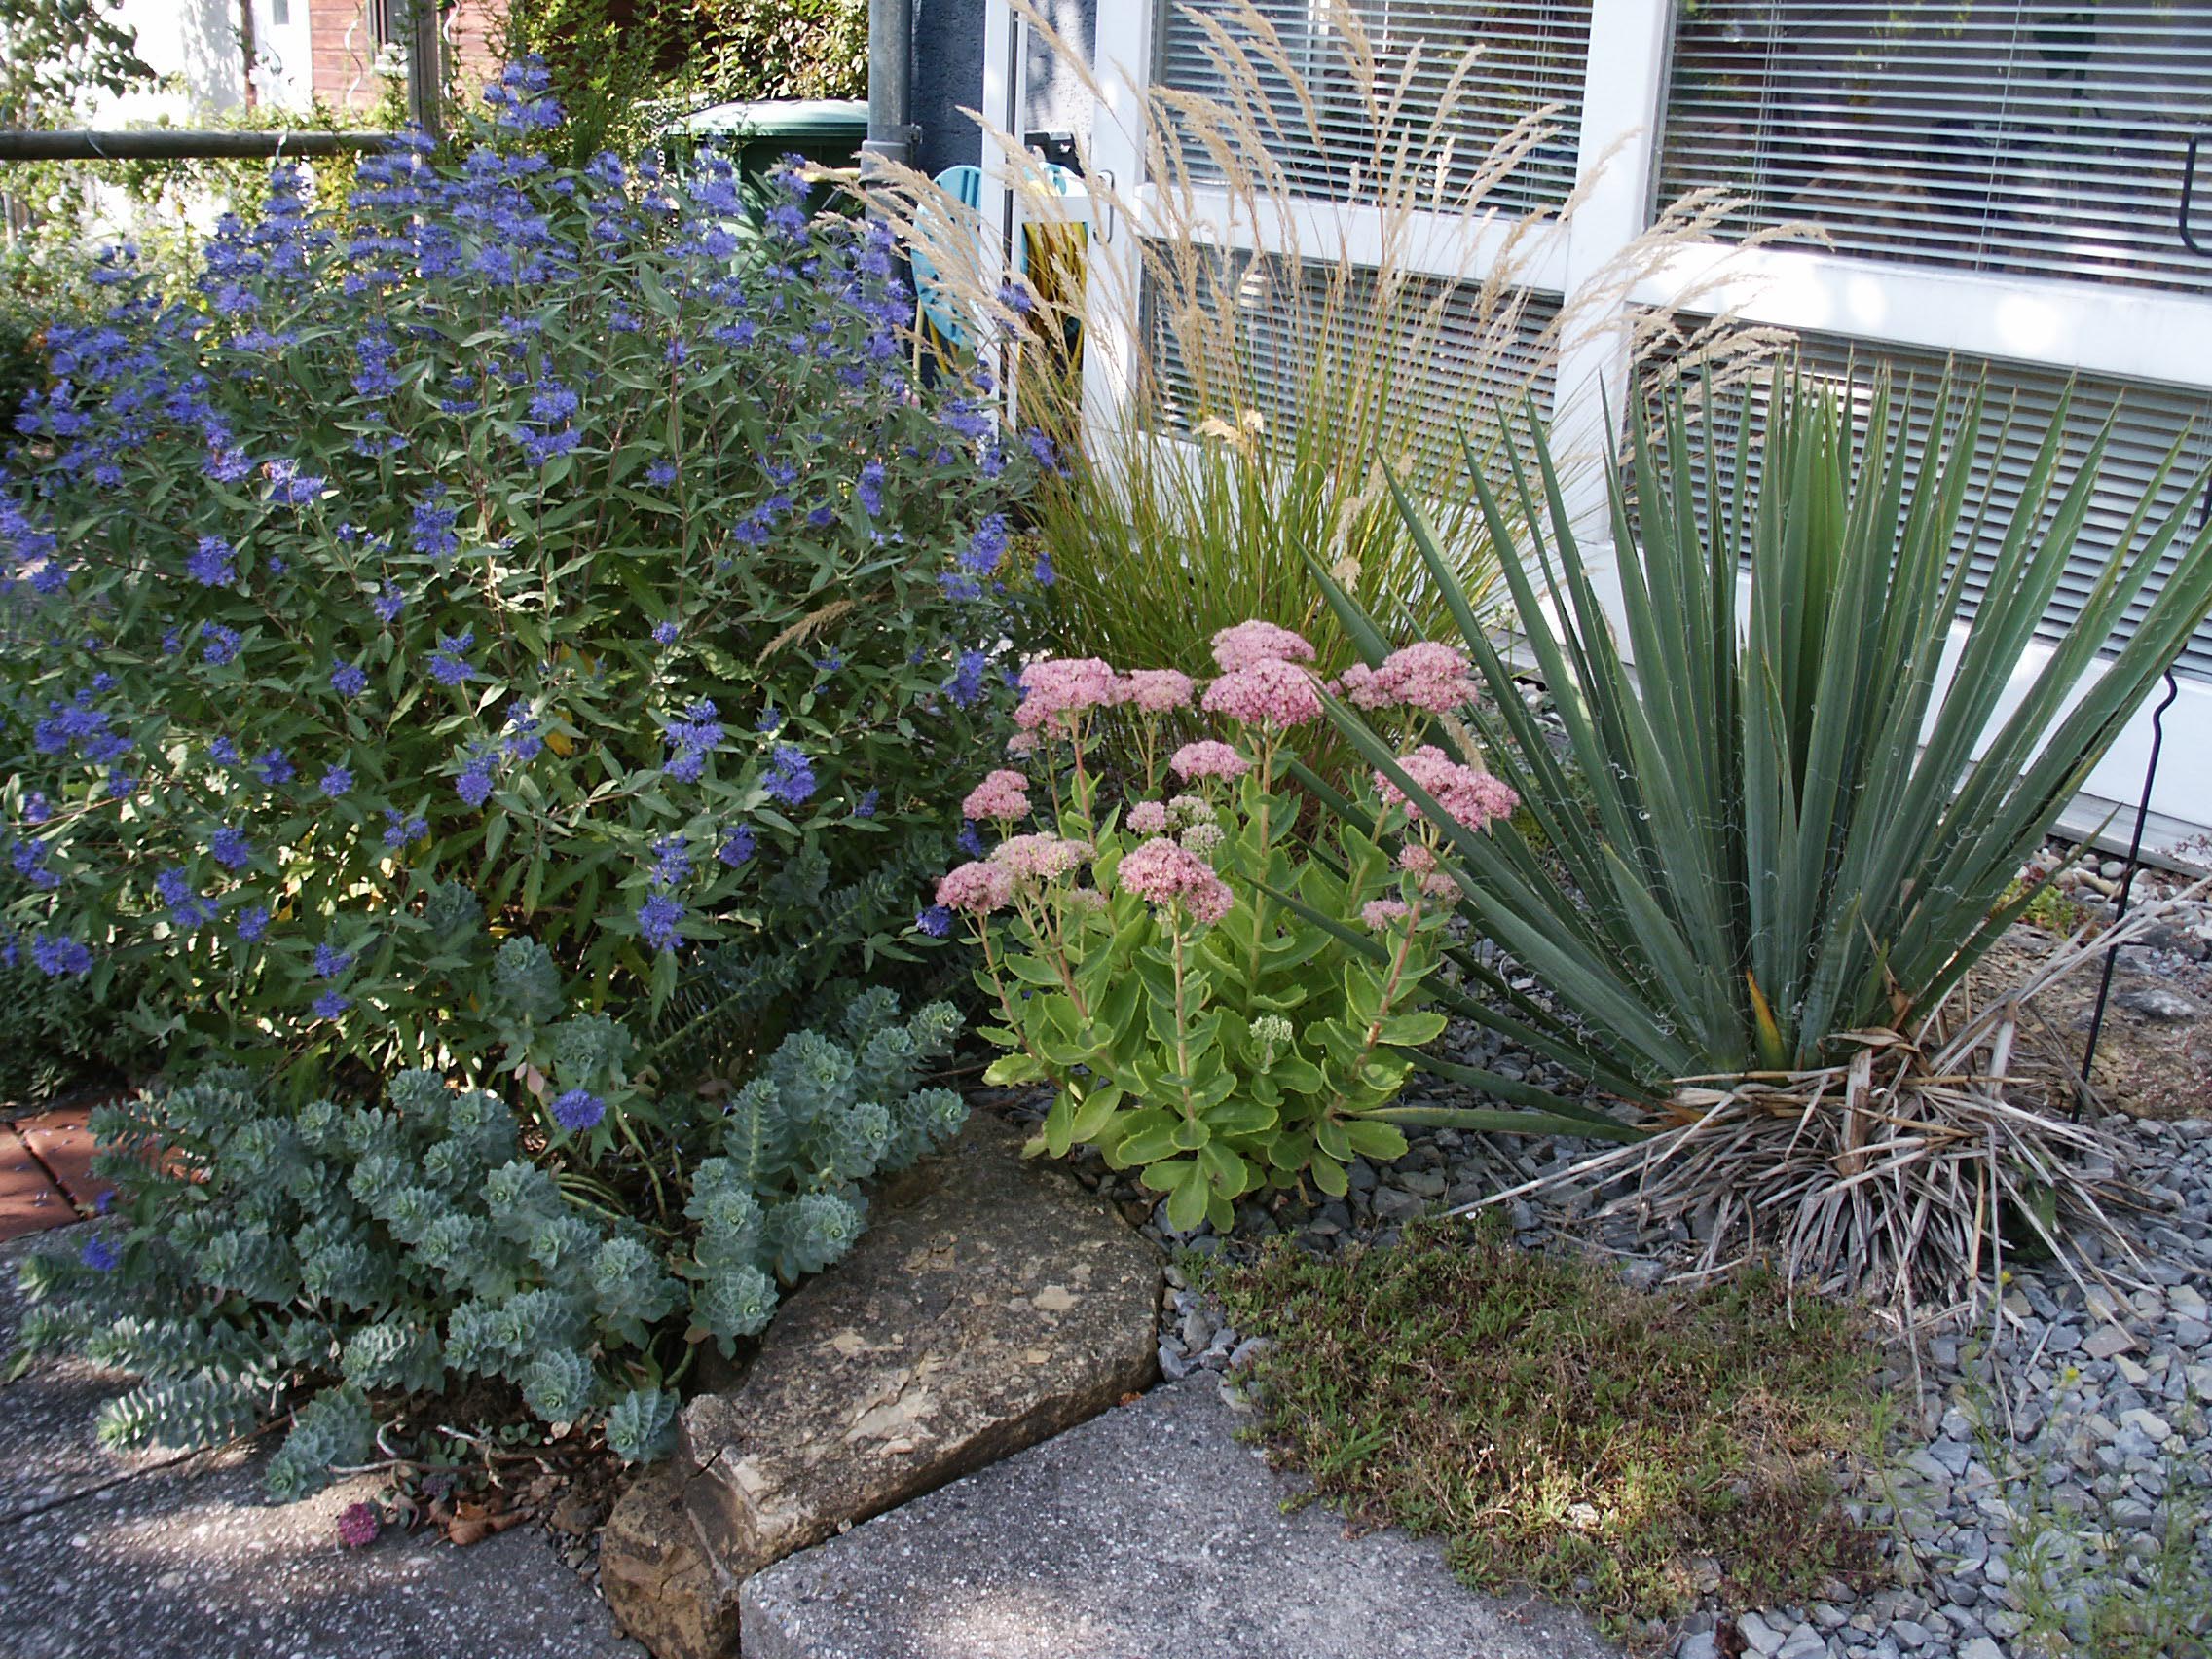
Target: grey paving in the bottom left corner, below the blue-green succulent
160, 1558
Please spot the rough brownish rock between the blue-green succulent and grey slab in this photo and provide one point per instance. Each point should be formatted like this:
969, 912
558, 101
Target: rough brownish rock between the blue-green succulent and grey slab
990, 1304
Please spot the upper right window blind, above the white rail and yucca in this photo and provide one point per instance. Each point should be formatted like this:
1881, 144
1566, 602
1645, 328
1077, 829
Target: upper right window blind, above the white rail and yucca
1992, 136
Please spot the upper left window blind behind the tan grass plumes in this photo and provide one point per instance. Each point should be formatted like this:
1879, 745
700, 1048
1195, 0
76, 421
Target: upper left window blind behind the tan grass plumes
1401, 112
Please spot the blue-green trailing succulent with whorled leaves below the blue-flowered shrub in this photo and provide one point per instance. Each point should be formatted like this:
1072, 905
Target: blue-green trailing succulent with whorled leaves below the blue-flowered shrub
335, 1260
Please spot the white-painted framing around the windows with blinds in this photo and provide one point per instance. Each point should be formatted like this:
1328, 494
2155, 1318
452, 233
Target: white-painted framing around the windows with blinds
2094, 328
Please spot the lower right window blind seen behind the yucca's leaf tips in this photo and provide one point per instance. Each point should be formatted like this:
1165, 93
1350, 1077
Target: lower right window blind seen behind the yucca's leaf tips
2021, 406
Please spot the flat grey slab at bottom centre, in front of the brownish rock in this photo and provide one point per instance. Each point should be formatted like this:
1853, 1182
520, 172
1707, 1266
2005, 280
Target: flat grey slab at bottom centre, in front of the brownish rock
1147, 1532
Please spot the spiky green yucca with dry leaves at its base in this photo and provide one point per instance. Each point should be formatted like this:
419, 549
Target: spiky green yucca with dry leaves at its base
1773, 853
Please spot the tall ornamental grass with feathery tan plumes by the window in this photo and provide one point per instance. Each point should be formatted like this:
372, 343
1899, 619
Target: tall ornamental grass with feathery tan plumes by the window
1273, 393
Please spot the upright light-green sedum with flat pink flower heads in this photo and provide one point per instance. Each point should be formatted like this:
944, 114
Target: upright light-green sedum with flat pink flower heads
1211, 999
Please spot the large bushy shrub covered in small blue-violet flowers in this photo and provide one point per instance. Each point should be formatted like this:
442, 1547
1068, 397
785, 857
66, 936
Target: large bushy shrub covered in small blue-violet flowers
505, 598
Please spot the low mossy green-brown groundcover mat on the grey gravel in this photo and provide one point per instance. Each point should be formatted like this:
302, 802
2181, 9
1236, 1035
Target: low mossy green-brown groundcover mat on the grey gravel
1565, 1432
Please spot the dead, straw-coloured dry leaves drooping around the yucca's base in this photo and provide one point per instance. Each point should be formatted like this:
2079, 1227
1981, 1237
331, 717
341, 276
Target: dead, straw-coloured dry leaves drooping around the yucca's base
1901, 1173
